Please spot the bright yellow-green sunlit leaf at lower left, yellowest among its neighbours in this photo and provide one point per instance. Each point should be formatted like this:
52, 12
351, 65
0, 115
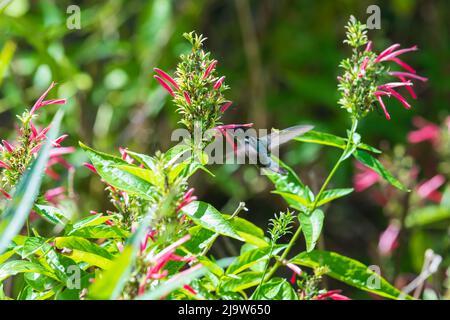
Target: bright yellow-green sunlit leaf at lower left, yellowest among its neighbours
82, 250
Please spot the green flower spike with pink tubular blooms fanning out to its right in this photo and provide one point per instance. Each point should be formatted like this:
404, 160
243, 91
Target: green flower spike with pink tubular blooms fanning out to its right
362, 84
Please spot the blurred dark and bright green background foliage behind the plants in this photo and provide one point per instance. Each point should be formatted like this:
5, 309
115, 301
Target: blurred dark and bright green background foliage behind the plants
280, 58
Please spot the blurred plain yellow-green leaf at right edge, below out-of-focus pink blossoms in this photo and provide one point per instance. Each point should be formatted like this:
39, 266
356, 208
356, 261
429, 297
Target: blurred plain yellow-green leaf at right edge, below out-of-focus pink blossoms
427, 216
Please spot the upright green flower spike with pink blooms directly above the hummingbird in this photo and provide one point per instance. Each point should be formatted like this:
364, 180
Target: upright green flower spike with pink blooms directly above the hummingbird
197, 90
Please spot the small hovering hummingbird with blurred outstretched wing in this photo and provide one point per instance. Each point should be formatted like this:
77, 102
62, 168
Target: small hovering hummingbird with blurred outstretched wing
259, 150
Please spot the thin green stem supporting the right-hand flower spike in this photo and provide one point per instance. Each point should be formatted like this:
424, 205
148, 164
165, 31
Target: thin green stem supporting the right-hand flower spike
296, 235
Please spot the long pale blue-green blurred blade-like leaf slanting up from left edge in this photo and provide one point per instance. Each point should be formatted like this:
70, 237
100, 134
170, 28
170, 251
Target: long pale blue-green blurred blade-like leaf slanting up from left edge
27, 190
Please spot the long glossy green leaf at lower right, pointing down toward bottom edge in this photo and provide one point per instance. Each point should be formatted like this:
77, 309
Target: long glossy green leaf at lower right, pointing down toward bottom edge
349, 271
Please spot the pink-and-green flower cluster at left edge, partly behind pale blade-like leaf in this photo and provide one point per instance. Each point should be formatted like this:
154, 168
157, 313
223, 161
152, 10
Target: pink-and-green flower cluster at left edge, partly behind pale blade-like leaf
16, 157
